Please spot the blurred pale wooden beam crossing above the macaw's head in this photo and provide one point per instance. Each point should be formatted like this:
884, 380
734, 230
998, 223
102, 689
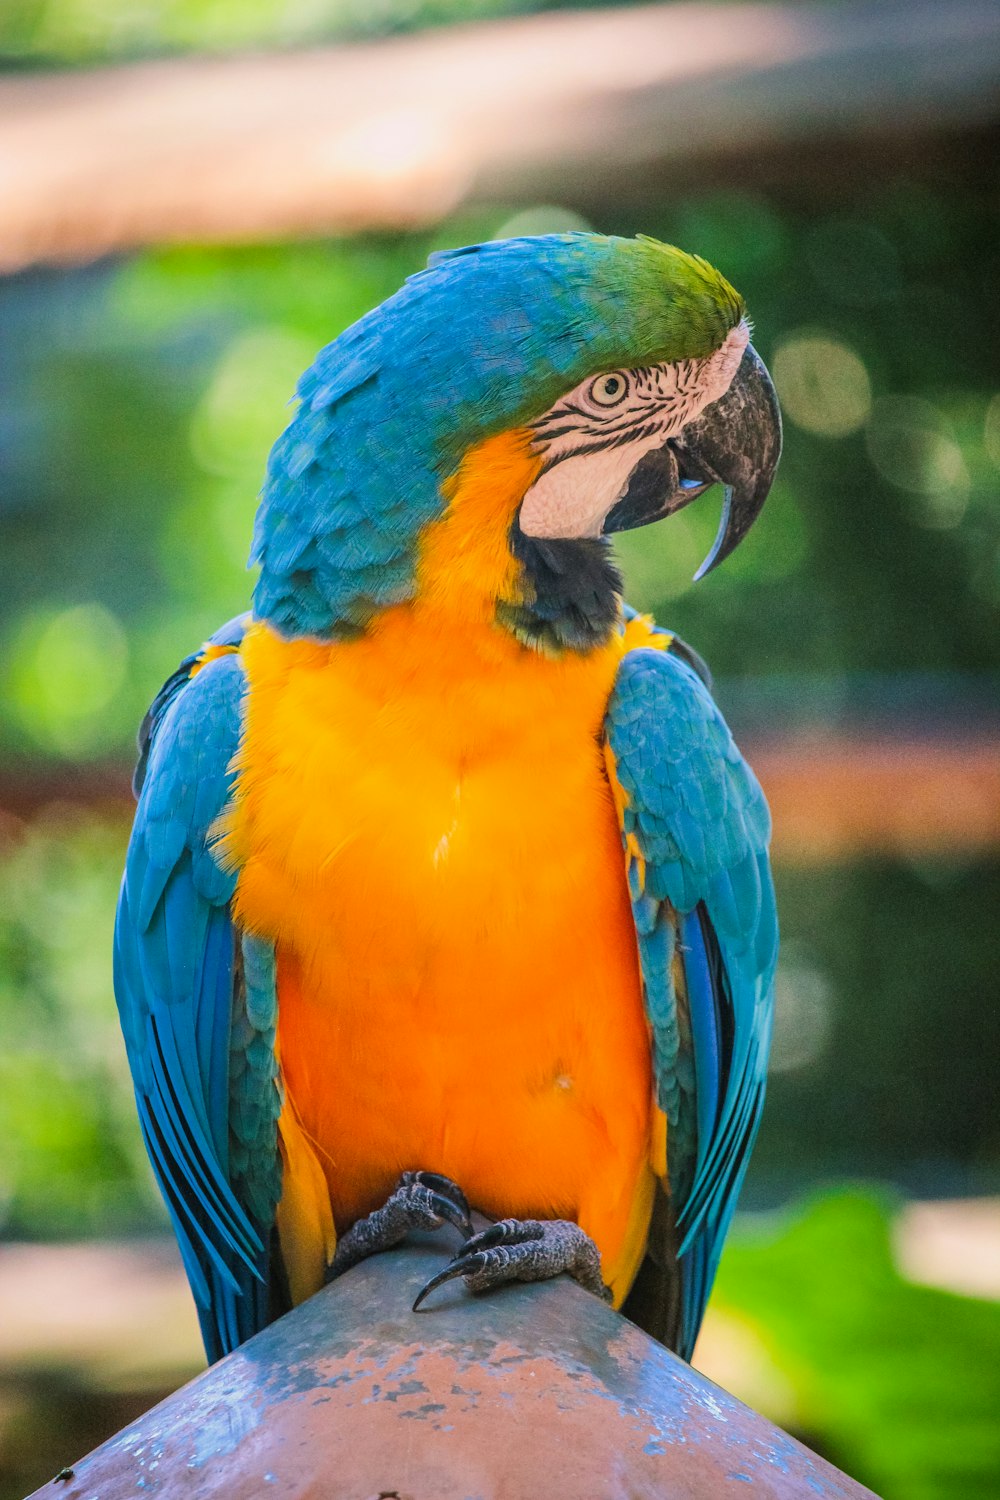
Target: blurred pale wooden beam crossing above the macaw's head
403, 131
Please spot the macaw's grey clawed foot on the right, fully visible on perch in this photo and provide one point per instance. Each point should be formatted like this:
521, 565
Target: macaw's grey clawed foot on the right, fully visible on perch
524, 1250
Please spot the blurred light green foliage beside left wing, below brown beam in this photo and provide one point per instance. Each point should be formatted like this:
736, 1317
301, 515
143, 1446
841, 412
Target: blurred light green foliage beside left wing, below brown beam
73, 1162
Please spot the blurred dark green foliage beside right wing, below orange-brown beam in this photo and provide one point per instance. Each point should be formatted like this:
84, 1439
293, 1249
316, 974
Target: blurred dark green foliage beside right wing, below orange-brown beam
887, 1048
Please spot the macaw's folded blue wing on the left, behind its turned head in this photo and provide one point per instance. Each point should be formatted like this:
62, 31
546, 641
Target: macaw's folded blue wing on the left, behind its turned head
199, 1001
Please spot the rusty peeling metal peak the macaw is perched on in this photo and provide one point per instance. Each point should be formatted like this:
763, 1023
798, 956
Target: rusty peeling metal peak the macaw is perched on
531, 1393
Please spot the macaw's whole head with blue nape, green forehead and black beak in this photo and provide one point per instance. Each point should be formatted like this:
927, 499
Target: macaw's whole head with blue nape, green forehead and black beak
522, 400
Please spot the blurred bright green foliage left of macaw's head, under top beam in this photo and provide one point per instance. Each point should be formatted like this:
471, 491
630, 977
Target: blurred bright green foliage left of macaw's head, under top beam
140, 403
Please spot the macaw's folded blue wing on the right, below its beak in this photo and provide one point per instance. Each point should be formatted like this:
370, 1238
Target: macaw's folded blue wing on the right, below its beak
696, 829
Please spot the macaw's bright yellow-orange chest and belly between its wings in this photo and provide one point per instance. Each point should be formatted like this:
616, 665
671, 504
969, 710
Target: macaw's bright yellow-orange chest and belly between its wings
427, 832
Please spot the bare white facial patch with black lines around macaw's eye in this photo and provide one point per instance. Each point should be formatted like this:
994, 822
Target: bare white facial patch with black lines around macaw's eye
596, 436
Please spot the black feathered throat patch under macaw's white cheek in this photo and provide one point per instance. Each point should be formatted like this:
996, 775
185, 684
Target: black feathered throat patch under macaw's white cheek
572, 593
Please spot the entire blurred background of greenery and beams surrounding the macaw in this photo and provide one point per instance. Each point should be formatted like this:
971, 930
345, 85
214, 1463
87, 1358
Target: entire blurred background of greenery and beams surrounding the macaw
194, 197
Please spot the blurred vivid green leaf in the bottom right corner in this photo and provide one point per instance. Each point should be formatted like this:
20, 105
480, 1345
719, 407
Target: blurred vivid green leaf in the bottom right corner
897, 1384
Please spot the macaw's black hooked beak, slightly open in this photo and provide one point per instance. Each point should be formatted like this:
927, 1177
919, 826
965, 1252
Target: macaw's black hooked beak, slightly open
737, 443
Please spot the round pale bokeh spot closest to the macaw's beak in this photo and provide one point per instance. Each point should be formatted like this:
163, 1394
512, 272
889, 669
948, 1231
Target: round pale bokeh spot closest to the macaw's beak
822, 383
